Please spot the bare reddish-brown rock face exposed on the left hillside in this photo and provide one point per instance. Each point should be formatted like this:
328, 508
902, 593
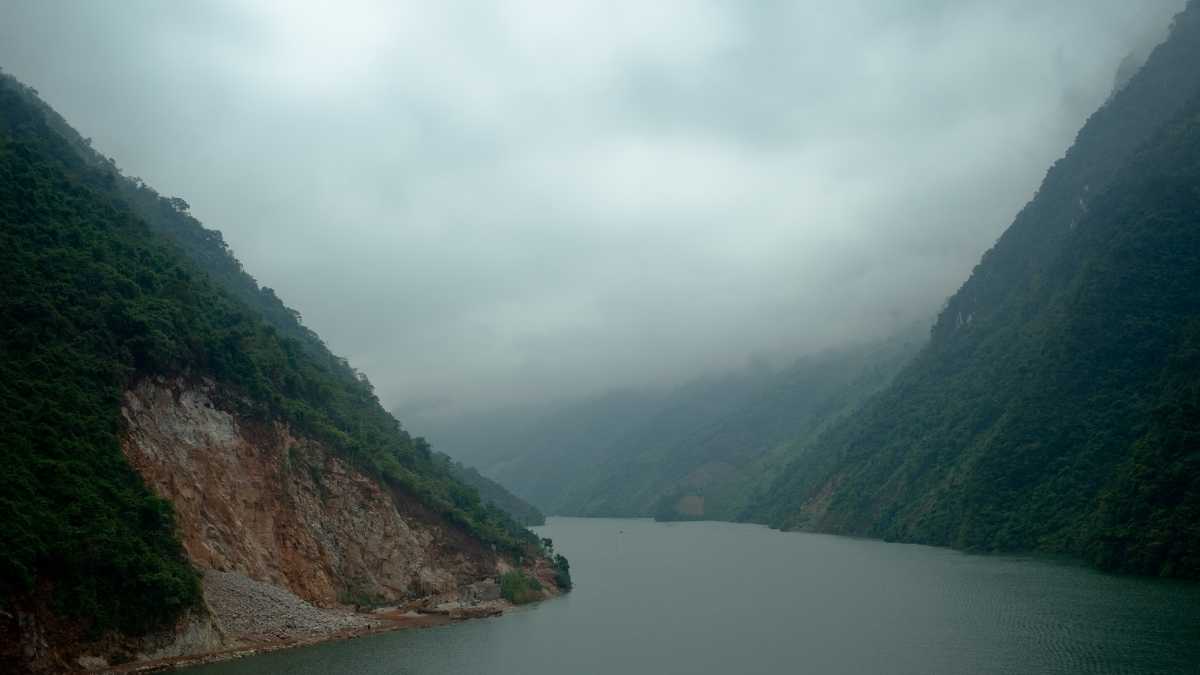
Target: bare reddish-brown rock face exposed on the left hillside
278, 509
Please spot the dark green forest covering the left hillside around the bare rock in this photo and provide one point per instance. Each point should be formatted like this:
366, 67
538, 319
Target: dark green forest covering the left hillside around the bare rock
94, 298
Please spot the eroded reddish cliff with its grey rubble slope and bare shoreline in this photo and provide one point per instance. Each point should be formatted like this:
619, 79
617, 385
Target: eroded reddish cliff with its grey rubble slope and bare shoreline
295, 543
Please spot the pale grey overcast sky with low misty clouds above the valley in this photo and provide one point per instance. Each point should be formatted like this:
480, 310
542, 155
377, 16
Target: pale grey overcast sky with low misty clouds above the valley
479, 204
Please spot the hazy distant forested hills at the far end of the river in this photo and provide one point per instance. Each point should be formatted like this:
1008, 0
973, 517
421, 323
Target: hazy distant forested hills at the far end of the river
637, 453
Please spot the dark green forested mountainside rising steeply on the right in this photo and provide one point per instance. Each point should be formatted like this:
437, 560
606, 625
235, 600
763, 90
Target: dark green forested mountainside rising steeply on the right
1057, 405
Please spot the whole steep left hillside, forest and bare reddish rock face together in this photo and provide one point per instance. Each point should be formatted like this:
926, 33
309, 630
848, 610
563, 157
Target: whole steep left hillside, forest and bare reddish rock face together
100, 554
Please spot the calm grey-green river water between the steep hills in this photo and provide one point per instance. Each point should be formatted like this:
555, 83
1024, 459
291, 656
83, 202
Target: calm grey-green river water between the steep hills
715, 598
